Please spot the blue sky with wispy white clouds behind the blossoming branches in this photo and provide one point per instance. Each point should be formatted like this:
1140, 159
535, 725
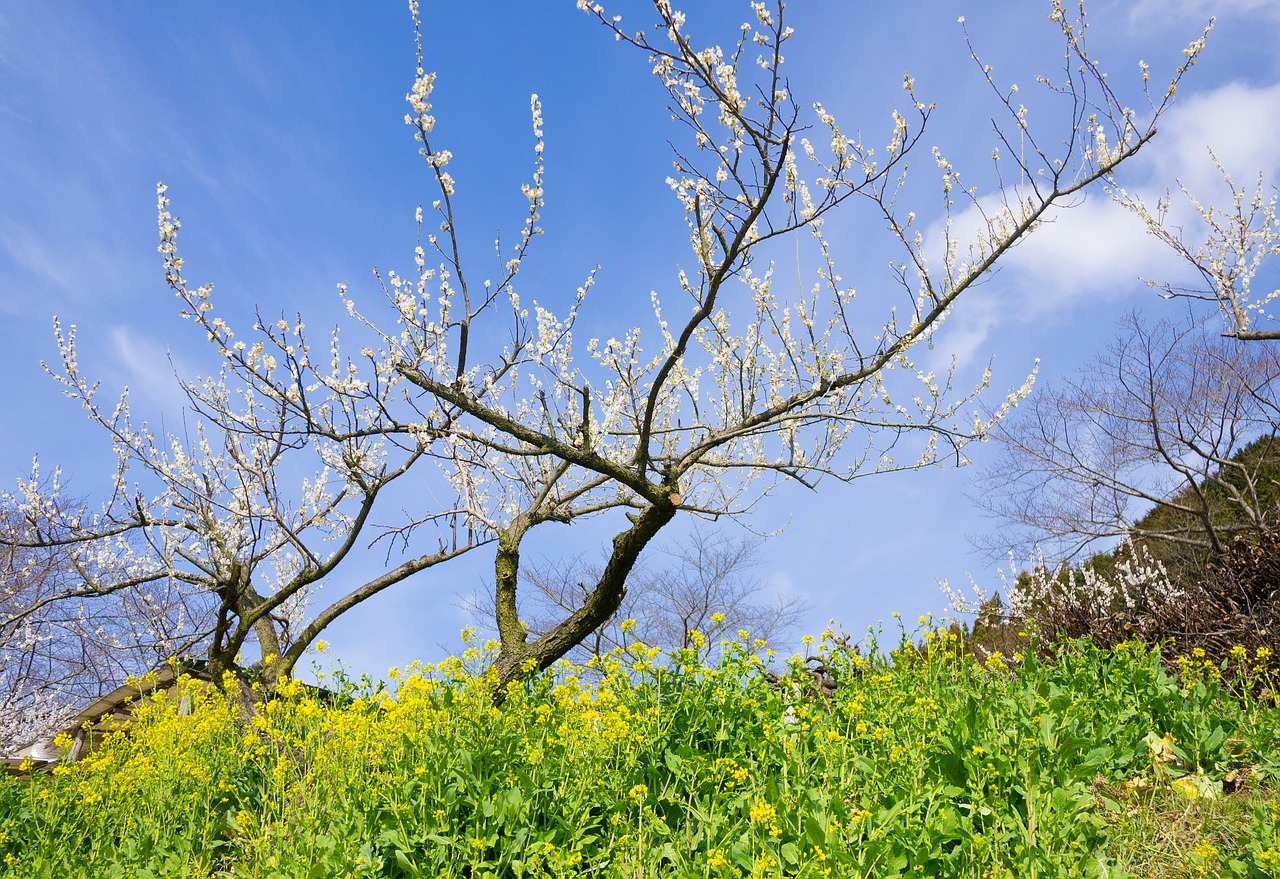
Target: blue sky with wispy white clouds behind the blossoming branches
281, 136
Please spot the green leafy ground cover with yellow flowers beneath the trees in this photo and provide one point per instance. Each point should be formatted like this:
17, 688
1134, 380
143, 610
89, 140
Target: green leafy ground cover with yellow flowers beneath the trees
924, 761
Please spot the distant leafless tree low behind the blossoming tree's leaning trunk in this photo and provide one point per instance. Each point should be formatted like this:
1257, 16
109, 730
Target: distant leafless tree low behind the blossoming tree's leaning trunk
702, 583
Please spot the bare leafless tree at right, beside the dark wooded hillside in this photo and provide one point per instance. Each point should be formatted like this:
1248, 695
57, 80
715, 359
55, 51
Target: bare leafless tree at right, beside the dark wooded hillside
1146, 443
